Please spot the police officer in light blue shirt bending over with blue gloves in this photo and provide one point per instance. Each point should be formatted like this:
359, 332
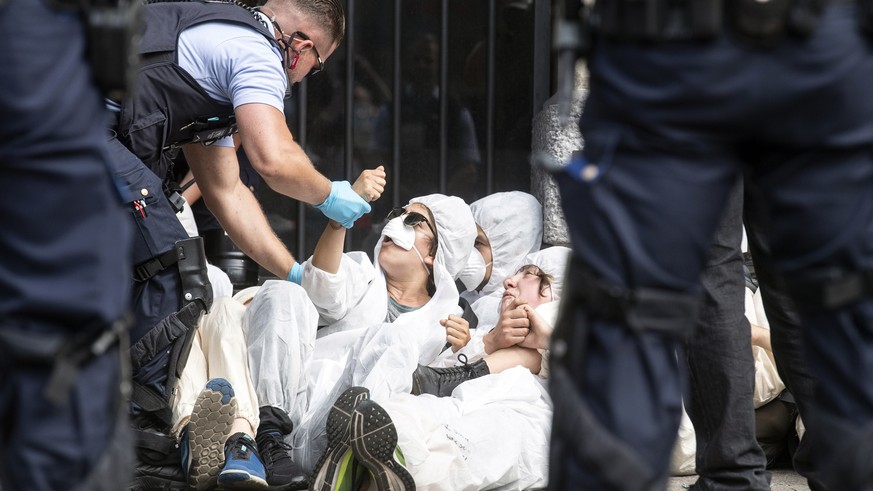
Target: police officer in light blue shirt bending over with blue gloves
214, 75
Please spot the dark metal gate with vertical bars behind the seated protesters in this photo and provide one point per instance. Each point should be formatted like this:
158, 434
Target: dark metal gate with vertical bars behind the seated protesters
440, 92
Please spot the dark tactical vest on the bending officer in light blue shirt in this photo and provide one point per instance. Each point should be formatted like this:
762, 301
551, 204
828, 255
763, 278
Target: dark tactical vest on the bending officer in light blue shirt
167, 100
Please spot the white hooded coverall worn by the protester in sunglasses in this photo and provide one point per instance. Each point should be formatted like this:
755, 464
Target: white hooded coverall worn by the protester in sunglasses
304, 376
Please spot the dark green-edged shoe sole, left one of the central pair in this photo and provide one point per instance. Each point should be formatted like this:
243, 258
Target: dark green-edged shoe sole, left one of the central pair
338, 437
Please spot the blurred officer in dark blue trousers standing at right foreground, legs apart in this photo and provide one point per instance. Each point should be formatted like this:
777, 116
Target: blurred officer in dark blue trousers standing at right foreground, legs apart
684, 96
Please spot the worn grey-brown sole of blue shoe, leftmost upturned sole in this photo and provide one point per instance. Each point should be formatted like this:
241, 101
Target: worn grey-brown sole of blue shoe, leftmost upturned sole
214, 413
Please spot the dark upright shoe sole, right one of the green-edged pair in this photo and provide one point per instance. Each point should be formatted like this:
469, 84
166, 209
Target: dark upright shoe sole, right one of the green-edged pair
374, 439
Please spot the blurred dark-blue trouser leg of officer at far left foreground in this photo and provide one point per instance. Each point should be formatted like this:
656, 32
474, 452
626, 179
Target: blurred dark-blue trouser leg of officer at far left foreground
65, 267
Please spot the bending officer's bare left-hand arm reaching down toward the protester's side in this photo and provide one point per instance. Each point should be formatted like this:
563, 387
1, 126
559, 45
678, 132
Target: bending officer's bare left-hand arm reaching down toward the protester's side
236, 208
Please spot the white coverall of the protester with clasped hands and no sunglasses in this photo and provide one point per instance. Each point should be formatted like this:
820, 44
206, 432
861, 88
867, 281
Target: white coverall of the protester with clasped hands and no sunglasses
493, 432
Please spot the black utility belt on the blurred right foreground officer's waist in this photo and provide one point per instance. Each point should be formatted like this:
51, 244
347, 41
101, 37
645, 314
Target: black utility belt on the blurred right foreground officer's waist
759, 22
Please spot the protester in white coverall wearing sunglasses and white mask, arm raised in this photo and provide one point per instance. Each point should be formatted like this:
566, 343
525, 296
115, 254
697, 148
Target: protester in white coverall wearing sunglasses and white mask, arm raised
372, 318
